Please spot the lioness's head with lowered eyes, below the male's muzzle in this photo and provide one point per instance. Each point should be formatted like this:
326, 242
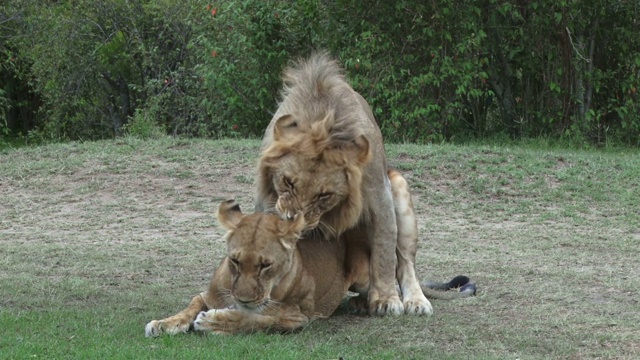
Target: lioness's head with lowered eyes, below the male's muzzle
260, 250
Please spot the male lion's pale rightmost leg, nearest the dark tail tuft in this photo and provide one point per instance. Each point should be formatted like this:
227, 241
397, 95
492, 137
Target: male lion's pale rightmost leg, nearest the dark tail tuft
413, 298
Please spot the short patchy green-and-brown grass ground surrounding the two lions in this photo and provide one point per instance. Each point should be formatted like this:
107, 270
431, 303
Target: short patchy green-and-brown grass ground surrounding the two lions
98, 238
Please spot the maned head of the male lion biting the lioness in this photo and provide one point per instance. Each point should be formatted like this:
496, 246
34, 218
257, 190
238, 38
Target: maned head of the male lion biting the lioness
316, 171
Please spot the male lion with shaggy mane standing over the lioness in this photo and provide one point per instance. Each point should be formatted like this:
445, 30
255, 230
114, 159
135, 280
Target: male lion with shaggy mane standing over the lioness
323, 154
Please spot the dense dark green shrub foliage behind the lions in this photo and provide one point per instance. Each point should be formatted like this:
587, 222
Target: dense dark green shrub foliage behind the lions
433, 71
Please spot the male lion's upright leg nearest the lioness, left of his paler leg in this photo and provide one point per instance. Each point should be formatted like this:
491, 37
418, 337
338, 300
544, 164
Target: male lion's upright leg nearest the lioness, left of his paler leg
383, 296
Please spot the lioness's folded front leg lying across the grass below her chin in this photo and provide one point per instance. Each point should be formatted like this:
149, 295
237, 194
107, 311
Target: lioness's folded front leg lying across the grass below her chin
231, 321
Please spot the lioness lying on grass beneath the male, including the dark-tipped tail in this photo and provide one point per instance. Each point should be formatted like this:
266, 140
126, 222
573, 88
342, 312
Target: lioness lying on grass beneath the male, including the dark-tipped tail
273, 279
